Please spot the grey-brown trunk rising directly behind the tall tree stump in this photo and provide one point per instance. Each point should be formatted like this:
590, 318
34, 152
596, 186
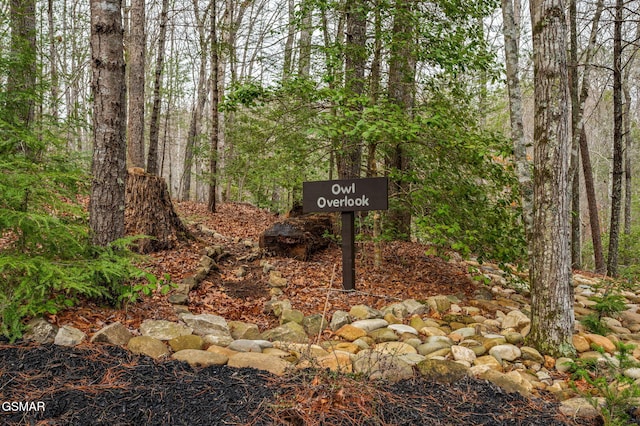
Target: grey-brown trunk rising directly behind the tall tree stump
137, 47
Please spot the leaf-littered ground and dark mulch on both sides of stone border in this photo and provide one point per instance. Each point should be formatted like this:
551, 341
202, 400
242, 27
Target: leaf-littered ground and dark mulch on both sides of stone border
94, 384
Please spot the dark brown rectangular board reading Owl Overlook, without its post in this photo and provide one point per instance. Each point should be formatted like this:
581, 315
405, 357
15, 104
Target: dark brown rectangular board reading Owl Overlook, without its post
345, 195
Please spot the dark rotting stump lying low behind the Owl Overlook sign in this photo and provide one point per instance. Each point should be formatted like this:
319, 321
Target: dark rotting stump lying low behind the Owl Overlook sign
298, 237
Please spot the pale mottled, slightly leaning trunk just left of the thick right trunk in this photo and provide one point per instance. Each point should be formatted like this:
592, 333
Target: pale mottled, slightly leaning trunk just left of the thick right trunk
523, 165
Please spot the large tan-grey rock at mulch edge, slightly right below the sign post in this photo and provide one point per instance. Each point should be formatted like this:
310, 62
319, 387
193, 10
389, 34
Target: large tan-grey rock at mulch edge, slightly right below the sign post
376, 365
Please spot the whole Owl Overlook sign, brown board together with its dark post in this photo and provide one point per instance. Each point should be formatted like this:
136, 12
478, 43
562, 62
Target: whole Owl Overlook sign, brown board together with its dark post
346, 196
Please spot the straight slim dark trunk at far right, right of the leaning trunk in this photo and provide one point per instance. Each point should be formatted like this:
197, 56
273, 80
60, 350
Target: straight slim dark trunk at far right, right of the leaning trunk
616, 181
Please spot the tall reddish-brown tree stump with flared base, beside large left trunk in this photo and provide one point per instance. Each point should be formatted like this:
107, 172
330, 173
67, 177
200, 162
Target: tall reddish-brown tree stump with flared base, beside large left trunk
149, 211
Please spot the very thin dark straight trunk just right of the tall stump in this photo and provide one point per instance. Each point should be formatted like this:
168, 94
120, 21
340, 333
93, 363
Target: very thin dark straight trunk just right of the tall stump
214, 112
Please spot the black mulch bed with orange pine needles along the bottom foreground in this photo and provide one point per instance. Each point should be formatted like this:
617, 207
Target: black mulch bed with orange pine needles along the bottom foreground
105, 385
